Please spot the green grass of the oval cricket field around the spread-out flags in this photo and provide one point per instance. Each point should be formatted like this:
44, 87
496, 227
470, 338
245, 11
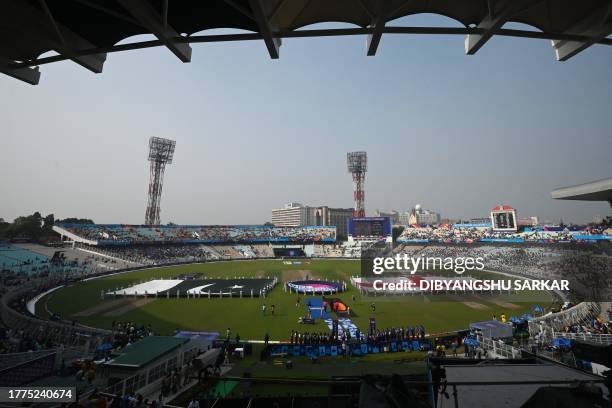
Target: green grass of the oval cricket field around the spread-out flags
244, 316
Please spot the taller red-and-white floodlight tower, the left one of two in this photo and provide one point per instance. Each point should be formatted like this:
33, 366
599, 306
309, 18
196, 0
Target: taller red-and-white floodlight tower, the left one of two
161, 152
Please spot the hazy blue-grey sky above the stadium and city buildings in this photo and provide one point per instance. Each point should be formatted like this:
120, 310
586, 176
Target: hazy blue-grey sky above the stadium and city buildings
458, 134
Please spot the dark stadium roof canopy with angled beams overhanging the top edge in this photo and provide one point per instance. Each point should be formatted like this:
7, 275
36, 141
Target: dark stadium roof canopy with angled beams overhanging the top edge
85, 31
